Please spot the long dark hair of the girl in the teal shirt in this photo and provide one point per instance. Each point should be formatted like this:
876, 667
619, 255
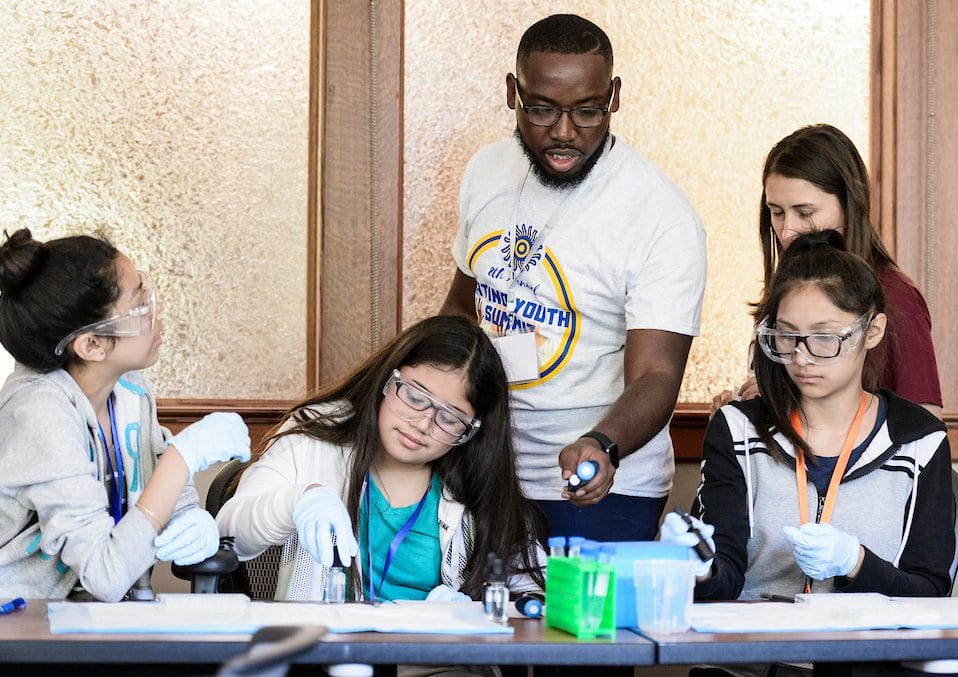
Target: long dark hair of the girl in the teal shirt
480, 474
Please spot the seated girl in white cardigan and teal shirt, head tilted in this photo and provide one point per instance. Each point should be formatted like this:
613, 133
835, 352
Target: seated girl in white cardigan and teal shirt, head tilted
415, 445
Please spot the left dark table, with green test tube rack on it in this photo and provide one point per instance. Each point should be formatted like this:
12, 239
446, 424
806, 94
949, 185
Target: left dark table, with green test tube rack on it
25, 638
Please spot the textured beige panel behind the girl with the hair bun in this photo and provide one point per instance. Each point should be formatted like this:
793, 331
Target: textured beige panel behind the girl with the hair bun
180, 129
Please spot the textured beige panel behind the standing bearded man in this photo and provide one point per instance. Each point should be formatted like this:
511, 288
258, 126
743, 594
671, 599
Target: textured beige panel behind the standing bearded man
708, 86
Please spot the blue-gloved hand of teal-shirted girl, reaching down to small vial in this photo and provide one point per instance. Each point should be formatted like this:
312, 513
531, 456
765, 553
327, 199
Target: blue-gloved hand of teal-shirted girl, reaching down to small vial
318, 514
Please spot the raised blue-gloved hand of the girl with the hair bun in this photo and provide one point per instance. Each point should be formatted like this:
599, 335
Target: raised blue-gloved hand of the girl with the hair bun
216, 437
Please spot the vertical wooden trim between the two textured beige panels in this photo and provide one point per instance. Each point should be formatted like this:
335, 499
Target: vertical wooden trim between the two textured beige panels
361, 158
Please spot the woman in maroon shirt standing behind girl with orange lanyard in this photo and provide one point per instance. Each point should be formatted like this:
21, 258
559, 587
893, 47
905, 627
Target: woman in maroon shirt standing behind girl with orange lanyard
815, 179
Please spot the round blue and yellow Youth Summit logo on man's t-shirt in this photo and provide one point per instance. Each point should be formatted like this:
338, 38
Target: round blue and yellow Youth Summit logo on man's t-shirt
520, 287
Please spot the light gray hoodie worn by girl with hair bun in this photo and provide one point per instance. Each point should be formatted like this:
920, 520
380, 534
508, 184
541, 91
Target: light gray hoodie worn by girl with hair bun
55, 525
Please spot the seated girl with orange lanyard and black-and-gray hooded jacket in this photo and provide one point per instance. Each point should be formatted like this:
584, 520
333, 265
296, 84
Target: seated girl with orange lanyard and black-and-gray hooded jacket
823, 483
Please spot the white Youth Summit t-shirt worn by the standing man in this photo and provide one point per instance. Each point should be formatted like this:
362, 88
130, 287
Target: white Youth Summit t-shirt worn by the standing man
622, 250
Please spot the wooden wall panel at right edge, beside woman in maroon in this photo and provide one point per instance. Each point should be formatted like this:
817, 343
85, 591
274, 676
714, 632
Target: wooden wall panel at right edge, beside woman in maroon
925, 44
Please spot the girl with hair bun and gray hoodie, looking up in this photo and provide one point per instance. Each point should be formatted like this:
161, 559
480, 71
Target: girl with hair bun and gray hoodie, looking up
91, 492
